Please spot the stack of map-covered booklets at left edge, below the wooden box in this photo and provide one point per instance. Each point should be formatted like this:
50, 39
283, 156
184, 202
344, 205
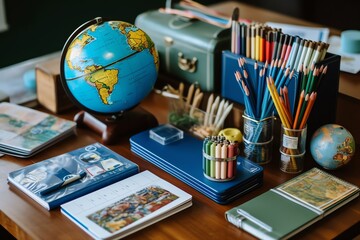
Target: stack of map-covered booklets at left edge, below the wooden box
25, 131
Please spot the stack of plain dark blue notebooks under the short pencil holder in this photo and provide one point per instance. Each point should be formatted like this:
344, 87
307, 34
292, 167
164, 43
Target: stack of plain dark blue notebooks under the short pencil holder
183, 159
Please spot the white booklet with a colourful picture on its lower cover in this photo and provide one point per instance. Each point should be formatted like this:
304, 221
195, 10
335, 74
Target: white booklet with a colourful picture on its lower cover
126, 206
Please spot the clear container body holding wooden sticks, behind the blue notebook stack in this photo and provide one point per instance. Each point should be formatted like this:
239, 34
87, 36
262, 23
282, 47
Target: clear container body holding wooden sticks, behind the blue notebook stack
192, 119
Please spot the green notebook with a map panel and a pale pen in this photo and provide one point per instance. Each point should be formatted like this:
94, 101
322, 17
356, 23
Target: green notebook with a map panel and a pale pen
289, 208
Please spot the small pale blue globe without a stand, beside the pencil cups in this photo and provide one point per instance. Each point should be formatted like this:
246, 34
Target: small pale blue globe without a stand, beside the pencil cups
332, 146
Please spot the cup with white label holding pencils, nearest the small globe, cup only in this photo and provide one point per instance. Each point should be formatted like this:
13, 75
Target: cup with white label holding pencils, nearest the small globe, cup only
292, 149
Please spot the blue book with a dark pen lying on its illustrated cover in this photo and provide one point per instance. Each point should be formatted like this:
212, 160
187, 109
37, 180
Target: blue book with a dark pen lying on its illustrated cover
65, 177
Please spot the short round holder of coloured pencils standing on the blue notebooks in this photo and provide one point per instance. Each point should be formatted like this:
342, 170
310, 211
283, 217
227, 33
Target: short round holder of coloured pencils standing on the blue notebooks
219, 158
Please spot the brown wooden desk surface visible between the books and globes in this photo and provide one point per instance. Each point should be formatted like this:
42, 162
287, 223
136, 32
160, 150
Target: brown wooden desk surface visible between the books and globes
25, 219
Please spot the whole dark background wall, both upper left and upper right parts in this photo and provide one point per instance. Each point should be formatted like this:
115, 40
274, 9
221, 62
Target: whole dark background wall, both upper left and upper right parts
39, 27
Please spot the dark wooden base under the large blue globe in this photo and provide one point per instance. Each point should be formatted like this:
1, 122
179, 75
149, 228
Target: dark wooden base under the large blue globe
113, 127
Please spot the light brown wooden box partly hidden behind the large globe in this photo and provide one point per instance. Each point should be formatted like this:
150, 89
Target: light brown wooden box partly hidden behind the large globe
50, 92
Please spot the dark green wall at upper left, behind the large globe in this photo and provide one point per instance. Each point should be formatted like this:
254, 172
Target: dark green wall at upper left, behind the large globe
38, 27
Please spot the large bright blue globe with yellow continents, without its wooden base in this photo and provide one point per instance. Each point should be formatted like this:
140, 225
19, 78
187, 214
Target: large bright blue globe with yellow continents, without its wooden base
108, 66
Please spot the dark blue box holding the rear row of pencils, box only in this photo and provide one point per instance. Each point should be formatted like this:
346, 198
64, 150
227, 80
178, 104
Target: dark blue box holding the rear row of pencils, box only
323, 110
